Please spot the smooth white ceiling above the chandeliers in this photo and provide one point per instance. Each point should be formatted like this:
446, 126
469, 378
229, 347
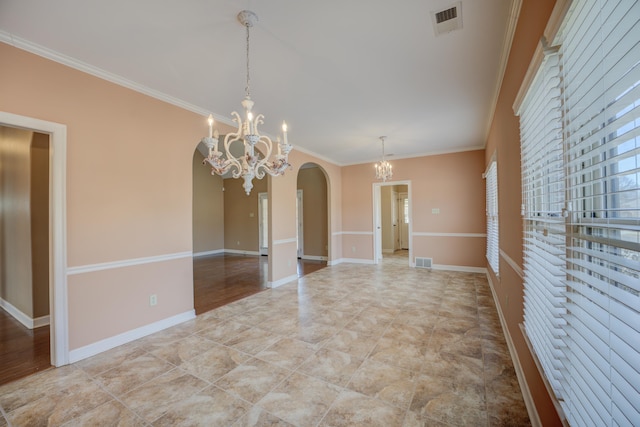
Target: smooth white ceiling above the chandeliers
341, 72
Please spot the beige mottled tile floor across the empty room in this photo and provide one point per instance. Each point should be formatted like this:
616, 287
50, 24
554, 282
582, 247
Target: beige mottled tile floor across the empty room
349, 345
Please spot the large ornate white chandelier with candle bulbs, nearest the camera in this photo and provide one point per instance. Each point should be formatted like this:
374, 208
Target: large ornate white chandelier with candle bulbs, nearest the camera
255, 162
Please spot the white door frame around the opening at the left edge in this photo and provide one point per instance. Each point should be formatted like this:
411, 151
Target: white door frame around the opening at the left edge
58, 307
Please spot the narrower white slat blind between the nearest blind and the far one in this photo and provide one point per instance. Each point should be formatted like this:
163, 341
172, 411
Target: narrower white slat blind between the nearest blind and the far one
543, 195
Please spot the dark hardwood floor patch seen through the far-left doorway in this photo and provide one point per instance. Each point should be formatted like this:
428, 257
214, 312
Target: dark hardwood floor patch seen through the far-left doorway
23, 351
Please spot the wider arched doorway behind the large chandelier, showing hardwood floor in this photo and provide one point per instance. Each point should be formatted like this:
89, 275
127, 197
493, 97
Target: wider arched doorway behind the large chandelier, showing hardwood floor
227, 265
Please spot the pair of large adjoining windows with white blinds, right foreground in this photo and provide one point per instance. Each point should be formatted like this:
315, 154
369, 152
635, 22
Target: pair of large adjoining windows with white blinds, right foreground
581, 198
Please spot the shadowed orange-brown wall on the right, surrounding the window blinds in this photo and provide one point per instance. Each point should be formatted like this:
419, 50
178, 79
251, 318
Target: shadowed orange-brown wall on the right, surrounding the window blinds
504, 143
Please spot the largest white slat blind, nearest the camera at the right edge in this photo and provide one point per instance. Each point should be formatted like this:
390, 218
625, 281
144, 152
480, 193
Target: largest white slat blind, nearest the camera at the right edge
600, 51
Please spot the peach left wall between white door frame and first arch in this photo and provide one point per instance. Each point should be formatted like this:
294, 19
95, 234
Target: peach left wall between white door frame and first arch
128, 195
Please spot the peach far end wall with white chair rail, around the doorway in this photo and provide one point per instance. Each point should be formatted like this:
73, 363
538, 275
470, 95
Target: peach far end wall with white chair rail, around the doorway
451, 183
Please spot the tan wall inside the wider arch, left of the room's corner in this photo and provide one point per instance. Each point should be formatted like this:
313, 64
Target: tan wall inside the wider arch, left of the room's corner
208, 208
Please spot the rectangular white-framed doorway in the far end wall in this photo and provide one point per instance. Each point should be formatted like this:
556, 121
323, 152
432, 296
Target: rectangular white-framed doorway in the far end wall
392, 221
